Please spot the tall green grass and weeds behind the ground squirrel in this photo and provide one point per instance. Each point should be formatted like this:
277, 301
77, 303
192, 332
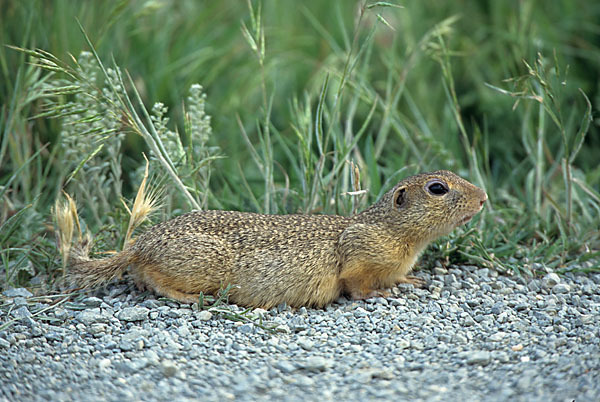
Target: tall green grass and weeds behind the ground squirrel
298, 93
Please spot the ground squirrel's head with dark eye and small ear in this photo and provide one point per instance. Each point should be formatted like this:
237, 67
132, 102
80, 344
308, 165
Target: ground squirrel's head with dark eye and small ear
432, 203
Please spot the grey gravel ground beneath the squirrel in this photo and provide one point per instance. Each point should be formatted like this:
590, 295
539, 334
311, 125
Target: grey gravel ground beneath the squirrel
471, 334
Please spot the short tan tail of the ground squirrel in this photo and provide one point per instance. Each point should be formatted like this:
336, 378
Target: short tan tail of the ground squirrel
88, 273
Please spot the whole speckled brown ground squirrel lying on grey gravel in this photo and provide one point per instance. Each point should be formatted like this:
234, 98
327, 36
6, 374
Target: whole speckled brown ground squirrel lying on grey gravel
303, 260
